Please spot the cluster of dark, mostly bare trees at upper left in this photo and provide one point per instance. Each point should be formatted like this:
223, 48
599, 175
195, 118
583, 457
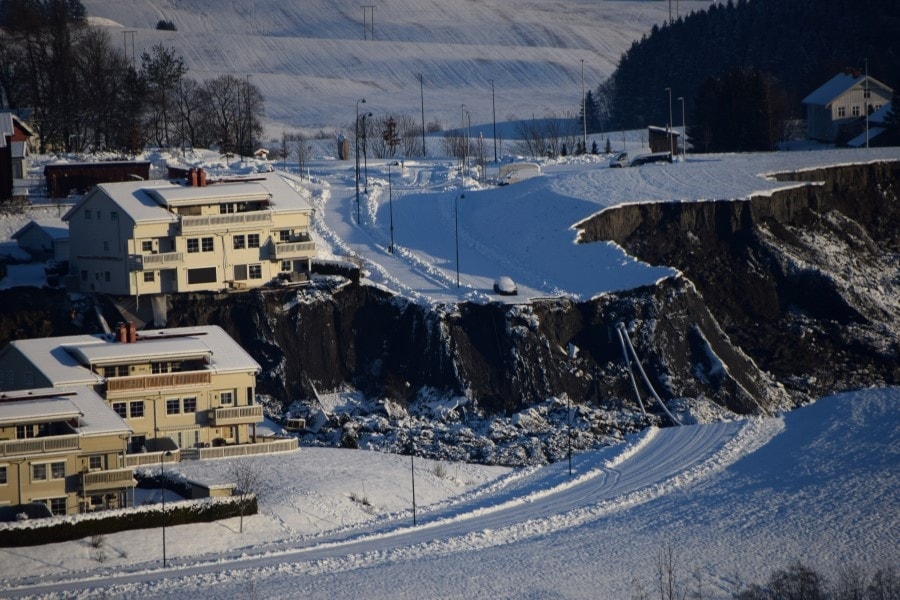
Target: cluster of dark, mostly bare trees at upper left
85, 94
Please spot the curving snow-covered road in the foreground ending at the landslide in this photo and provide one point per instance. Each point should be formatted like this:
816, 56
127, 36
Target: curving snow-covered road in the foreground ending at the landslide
526, 504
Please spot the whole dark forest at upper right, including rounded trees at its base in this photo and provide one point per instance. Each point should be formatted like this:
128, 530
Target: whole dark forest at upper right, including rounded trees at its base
743, 68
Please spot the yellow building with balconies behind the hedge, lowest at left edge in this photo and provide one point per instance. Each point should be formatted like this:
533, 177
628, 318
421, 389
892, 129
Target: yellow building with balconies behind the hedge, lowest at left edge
65, 449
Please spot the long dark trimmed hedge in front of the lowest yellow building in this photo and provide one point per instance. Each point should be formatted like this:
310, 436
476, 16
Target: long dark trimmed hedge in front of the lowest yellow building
181, 513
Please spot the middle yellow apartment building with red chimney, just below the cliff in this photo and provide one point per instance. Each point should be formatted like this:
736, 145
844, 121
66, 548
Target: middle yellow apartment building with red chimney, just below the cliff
178, 388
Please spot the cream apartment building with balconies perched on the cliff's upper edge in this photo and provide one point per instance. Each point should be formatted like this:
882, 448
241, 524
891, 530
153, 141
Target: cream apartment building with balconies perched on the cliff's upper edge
158, 237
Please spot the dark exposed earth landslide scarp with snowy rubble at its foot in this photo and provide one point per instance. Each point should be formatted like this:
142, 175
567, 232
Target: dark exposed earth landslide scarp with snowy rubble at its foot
782, 298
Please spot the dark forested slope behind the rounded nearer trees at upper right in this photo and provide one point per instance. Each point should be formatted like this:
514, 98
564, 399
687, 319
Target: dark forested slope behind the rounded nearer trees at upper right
799, 43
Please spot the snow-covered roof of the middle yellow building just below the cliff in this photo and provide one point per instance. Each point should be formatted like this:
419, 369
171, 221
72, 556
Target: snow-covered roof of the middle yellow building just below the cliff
65, 361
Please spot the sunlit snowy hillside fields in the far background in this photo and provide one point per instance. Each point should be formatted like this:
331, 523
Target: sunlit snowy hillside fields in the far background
311, 61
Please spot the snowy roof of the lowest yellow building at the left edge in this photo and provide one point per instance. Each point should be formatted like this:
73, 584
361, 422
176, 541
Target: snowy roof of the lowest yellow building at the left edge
90, 412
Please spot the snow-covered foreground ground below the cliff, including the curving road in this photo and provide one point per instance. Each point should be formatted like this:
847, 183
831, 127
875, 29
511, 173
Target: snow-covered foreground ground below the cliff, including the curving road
735, 500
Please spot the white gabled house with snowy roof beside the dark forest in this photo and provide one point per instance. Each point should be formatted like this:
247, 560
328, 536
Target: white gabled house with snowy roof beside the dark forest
836, 111
